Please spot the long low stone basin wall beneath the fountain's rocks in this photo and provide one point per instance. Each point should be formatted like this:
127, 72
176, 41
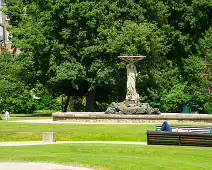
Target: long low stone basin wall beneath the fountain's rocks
100, 117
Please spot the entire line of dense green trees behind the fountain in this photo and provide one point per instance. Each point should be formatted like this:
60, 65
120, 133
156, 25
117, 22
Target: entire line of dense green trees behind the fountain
70, 48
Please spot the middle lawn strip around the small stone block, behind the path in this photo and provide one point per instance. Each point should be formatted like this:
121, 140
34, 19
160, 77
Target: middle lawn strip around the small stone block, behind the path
17, 131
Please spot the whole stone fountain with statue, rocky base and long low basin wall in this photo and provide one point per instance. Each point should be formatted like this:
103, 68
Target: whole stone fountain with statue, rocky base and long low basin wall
131, 110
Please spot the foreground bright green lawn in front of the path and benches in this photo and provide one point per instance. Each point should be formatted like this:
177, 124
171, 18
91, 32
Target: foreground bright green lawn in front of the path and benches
114, 157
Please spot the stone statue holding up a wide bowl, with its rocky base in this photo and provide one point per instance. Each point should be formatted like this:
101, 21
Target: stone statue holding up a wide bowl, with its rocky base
131, 104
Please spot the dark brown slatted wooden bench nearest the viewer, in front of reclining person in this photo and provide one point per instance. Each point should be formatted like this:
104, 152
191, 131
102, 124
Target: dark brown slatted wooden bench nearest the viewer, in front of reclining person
178, 138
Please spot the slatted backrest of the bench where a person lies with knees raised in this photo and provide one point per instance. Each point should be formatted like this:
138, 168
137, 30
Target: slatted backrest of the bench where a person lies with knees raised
197, 129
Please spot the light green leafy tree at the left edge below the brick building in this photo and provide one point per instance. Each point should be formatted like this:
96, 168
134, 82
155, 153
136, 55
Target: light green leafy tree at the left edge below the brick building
14, 94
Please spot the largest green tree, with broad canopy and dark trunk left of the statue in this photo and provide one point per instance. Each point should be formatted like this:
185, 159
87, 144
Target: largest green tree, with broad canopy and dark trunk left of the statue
73, 45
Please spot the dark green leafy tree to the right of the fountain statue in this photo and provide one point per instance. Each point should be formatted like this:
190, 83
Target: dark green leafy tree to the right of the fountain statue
179, 80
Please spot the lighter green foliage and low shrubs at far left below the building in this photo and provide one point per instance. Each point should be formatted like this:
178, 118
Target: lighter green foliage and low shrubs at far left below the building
16, 95
